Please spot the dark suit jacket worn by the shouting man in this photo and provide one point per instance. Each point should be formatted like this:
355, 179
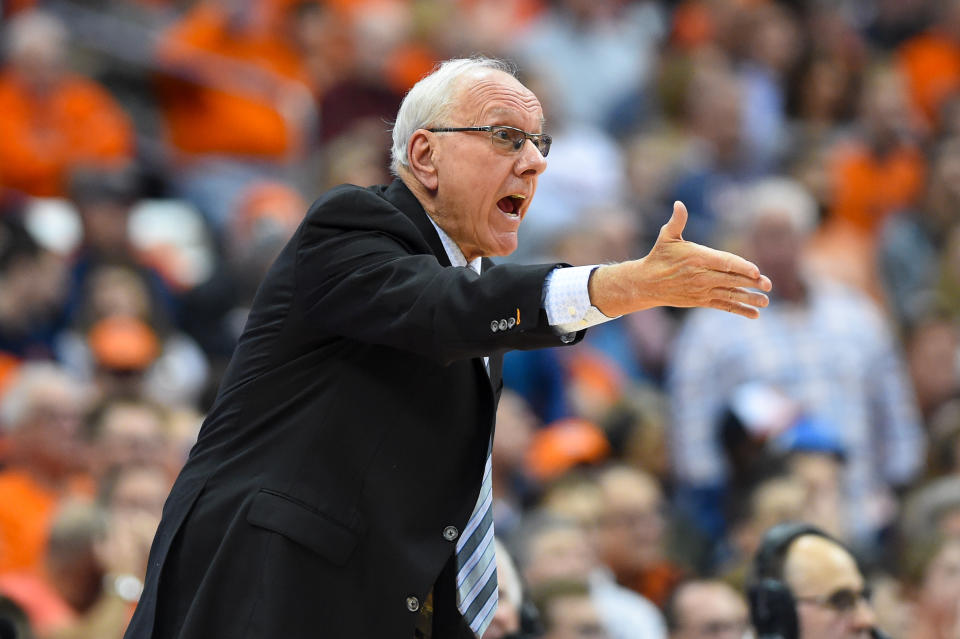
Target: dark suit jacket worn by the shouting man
349, 434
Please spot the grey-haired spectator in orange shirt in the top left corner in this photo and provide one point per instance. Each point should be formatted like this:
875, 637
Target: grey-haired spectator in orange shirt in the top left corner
54, 121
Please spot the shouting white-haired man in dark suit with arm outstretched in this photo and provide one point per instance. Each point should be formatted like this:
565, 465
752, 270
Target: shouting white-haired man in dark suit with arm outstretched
338, 487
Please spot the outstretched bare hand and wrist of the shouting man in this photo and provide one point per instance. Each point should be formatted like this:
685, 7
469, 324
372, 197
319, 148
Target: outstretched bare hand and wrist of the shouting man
680, 273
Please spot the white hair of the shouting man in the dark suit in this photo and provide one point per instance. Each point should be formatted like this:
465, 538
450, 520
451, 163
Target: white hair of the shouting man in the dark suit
431, 100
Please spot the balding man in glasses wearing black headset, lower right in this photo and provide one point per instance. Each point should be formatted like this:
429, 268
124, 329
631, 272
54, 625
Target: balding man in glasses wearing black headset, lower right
808, 585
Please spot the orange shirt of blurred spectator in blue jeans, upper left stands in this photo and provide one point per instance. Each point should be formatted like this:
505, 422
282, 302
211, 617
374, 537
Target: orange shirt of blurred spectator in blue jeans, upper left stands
226, 86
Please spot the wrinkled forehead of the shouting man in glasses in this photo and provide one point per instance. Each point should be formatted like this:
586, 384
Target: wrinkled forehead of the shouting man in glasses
499, 97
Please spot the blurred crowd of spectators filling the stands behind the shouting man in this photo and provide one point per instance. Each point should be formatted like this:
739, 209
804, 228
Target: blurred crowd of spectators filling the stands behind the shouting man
155, 155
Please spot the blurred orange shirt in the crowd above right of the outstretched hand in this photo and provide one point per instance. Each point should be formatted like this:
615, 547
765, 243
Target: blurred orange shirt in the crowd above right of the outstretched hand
868, 188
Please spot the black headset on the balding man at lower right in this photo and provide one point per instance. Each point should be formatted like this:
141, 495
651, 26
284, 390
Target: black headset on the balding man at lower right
773, 610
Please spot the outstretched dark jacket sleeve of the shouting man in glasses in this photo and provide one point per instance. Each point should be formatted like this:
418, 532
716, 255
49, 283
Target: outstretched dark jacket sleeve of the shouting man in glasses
361, 272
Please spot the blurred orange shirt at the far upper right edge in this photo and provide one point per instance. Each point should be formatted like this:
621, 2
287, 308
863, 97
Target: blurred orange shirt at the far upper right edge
930, 63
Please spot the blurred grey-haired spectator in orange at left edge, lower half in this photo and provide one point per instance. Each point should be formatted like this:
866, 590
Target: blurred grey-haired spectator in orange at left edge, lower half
41, 412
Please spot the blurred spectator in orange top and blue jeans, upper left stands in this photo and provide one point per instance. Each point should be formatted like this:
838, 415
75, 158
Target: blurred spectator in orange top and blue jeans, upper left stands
234, 99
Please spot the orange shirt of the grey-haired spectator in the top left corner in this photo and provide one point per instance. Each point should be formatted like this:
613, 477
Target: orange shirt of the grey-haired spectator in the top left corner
42, 137
